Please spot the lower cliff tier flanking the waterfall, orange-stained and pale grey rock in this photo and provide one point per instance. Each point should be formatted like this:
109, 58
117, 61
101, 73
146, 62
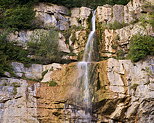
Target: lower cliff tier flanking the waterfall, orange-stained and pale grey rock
122, 91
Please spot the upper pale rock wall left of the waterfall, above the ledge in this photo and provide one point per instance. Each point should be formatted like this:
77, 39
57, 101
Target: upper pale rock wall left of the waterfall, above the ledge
72, 26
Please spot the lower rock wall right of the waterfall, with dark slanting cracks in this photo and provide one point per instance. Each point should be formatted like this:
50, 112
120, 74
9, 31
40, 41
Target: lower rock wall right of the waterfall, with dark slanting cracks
129, 86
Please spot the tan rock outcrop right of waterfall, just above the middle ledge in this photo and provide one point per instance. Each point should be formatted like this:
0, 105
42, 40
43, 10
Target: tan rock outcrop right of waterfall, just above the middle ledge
114, 40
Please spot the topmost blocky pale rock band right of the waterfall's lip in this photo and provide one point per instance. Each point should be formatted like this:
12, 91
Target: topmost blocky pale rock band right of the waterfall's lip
120, 13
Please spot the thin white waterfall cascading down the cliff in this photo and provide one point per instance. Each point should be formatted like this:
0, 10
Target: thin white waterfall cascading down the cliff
84, 72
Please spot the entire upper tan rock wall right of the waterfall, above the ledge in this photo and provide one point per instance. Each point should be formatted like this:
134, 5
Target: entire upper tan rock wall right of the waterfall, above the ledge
111, 41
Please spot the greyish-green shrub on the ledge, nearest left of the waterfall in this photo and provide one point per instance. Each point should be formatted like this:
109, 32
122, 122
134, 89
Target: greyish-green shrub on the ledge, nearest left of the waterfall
45, 47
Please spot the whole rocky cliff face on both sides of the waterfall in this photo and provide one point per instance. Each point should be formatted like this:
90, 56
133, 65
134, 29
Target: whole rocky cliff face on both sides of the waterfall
122, 91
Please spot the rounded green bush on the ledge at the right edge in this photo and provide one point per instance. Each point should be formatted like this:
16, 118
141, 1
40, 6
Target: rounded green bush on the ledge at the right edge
140, 47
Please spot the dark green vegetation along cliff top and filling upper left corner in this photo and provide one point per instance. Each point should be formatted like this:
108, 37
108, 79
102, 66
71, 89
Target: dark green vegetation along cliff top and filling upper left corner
19, 14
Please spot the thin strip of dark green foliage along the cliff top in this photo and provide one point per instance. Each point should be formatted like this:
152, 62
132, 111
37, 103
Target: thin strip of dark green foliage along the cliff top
67, 3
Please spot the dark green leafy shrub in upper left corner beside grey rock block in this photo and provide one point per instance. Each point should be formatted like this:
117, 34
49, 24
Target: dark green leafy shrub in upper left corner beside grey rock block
19, 18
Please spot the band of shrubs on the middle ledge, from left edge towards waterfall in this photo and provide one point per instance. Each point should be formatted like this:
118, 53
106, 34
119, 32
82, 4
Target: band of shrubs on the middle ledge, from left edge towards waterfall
43, 50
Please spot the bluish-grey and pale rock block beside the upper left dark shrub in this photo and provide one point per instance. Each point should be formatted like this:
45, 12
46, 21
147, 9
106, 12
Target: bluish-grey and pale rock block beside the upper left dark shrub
50, 15
